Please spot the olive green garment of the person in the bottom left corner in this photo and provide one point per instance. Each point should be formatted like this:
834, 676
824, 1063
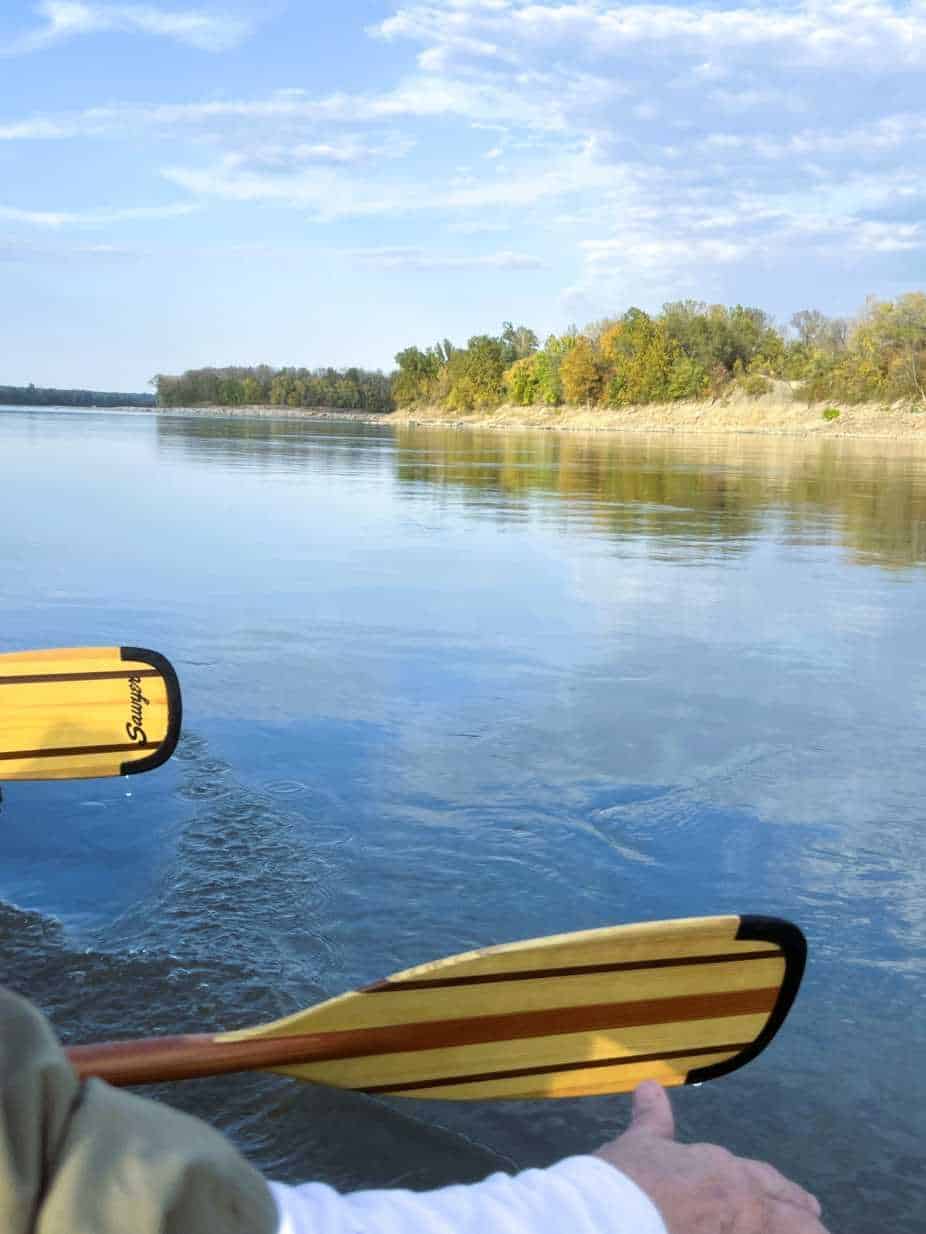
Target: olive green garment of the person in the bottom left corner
88, 1159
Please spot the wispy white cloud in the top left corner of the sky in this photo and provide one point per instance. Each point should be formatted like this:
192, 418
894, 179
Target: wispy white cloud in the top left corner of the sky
62, 20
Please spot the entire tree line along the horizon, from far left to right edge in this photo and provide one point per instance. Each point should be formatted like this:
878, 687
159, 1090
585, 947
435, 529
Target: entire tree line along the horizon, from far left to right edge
691, 350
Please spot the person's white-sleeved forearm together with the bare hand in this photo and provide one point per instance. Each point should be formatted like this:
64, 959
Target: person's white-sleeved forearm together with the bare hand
643, 1183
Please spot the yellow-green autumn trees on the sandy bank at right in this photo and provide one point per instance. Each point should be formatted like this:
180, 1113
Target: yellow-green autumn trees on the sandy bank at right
690, 351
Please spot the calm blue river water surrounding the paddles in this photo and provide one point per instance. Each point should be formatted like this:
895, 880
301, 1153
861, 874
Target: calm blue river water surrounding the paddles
449, 689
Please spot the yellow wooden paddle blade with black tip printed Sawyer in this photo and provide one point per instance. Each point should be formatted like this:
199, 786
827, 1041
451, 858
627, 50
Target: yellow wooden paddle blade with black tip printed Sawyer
75, 714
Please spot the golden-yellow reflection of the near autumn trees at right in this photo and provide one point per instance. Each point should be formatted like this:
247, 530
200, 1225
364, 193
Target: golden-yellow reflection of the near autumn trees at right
872, 493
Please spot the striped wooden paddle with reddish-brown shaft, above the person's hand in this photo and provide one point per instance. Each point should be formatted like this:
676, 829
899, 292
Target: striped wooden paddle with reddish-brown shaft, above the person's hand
569, 1016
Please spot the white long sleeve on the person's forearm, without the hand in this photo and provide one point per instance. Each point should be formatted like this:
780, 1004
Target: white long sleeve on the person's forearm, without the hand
581, 1195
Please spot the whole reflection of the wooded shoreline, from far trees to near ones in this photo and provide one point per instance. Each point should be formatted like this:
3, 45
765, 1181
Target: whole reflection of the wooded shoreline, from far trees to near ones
872, 494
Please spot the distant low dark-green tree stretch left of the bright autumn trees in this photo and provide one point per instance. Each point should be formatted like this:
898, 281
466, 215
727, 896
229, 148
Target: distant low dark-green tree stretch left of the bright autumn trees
351, 389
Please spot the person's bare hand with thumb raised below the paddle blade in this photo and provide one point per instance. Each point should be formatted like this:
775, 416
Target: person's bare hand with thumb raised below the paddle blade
701, 1189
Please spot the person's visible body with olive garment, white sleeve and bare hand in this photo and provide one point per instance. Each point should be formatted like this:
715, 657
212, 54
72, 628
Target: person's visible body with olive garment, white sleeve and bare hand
88, 1159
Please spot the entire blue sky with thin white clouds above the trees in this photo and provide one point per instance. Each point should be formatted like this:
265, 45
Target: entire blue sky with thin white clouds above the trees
307, 183
